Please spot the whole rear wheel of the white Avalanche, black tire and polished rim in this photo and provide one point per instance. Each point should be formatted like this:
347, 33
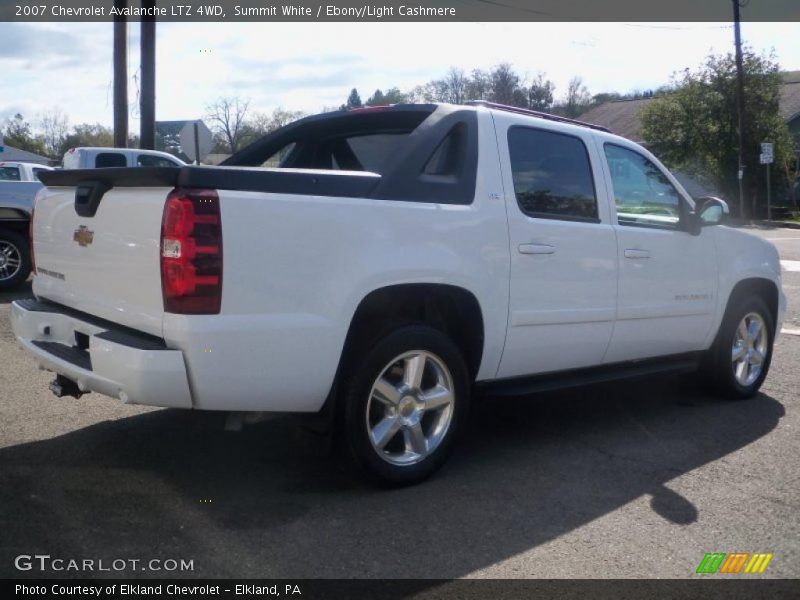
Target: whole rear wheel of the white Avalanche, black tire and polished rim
404, 402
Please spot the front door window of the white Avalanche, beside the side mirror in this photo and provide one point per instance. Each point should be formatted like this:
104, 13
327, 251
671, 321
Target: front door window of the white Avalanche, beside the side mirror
643, 194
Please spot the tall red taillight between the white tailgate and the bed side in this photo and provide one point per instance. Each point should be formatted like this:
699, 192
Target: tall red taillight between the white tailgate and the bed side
191, 252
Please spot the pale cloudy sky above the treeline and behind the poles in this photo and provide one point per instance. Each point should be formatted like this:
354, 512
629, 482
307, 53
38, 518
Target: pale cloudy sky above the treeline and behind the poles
308, 66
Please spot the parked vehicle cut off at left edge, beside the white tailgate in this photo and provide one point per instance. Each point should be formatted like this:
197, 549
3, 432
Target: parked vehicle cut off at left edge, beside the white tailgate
19, 182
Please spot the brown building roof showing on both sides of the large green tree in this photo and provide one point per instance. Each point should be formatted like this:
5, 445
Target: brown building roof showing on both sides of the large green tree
622, 116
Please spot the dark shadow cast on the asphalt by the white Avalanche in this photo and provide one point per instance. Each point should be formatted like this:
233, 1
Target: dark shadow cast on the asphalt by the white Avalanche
267, 502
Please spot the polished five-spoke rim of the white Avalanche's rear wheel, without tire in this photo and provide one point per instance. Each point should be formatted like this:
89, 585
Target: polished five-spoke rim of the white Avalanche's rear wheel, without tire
410, 408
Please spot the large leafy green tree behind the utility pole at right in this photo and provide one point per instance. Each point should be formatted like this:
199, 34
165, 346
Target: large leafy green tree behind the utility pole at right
694, 128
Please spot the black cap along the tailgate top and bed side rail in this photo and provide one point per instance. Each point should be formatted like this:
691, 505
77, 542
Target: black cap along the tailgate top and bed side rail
351, 184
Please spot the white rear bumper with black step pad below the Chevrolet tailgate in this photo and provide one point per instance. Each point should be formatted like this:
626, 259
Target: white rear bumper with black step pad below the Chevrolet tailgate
117, 362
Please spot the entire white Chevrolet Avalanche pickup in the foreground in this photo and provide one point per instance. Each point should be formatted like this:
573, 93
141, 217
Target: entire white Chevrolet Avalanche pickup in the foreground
380, 264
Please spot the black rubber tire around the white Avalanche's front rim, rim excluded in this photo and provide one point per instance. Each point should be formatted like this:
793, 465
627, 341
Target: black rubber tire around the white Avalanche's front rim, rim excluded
721, 369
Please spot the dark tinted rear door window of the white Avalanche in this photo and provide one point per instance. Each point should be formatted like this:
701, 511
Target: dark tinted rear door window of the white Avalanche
552, 175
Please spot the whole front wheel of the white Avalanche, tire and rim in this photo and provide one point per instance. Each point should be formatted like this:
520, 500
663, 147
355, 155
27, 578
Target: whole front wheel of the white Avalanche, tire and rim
743, 350
